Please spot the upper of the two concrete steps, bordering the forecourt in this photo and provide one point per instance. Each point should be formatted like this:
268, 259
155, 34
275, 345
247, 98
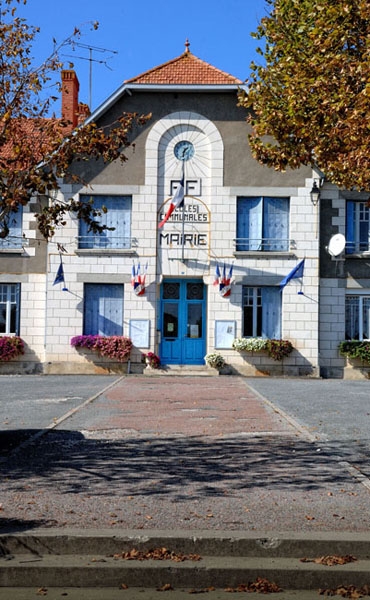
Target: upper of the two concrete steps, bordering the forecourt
206, 542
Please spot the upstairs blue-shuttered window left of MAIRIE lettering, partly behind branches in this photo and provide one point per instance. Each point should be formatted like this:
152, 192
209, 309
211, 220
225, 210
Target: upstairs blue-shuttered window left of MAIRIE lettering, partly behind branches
118, 215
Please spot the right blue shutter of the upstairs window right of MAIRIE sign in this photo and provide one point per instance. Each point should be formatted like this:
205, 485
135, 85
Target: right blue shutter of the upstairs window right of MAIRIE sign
276, 224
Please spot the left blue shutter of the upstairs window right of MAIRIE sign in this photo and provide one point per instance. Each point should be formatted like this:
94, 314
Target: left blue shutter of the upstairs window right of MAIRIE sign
249, 224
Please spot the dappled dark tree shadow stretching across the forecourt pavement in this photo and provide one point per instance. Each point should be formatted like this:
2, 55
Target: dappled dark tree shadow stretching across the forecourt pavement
179, 468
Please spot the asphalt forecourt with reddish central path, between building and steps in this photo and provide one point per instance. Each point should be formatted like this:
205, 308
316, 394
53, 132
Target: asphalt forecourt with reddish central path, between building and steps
184, 453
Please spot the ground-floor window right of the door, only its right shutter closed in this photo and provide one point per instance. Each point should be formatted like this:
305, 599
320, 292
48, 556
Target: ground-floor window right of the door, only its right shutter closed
262, 312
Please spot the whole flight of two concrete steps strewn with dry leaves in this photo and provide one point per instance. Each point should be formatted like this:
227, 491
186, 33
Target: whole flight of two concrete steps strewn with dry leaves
86, 560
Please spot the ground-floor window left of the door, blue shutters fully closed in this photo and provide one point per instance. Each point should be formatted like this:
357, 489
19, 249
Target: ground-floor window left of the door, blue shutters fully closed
103, 309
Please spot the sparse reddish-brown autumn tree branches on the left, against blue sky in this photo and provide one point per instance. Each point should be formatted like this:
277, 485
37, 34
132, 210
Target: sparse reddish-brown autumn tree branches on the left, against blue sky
36, 152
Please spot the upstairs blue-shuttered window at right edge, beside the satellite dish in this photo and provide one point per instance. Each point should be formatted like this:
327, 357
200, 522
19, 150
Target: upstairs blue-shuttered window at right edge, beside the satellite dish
357, 227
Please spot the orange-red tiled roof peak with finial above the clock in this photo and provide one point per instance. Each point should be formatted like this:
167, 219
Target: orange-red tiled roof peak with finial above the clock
186, 69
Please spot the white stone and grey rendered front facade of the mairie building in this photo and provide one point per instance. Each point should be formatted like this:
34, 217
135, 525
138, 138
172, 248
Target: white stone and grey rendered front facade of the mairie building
221, 171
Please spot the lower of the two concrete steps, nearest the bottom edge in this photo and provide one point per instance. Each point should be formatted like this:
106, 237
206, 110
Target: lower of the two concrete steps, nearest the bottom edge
211, 571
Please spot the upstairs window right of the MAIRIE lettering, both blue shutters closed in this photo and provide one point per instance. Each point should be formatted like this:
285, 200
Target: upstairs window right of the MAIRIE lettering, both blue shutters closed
262, 224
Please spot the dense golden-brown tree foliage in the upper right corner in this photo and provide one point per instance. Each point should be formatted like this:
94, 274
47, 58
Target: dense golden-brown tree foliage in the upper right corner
310, 99
